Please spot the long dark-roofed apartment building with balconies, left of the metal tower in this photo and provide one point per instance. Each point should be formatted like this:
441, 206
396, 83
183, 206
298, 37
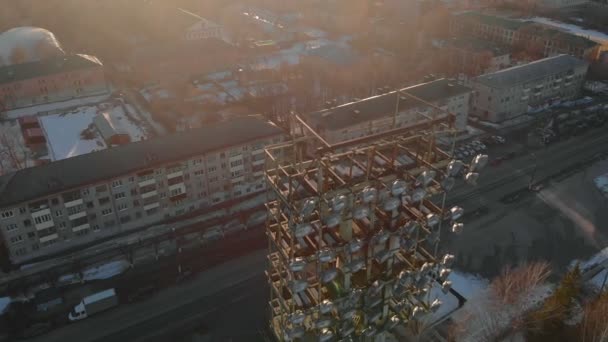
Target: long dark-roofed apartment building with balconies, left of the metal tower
63, 204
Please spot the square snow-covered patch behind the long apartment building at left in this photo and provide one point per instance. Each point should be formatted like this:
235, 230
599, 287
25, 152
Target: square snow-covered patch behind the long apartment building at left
64, 133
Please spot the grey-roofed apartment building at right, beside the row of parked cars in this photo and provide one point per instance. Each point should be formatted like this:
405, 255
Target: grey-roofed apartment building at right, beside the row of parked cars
515, 91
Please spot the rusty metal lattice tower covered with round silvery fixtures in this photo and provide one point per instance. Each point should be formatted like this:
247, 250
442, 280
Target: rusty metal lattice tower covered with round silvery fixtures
353, 229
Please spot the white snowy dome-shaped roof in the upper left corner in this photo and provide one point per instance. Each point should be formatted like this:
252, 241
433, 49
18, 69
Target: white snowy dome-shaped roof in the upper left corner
27, 44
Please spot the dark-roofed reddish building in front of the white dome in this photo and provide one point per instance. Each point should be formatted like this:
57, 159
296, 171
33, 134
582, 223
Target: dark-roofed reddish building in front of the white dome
50, 80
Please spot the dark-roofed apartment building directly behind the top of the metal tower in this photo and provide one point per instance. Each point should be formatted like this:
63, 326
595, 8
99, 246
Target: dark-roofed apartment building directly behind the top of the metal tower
375, 114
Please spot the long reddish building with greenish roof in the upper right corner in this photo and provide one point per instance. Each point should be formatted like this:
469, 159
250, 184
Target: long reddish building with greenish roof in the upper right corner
519, 33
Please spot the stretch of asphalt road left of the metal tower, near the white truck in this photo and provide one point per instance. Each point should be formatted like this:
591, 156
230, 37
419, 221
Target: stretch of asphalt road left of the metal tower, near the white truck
219, 292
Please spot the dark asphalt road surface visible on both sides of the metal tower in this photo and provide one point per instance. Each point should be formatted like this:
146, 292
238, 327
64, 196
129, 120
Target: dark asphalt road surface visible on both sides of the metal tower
229, 300
